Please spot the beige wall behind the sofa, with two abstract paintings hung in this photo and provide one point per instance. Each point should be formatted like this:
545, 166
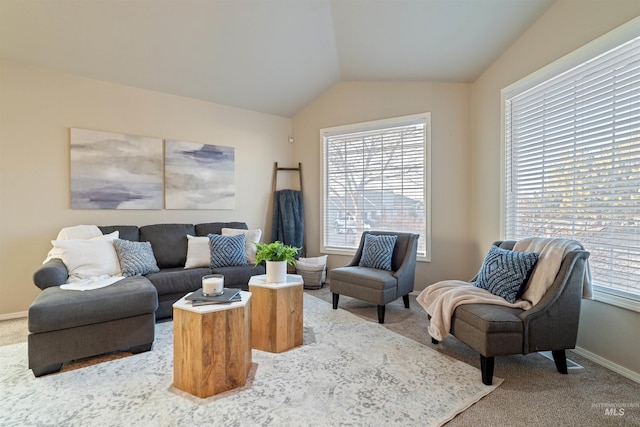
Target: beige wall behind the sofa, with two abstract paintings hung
37, 108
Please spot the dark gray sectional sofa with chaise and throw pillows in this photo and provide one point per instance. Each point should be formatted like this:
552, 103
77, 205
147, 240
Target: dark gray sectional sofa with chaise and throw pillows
68, 325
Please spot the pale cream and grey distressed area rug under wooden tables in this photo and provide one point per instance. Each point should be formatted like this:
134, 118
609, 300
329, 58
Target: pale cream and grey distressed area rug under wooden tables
348, 372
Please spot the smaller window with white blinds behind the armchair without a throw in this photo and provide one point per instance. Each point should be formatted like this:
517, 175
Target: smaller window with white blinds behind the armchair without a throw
375, 176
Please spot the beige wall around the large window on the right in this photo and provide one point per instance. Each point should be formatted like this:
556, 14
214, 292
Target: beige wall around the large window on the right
606, 331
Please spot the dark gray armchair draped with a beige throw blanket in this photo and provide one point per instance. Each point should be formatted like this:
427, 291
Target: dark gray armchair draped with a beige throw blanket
551, 324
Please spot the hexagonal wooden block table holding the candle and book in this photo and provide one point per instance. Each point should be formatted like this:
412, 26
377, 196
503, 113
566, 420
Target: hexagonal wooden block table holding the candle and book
211, 346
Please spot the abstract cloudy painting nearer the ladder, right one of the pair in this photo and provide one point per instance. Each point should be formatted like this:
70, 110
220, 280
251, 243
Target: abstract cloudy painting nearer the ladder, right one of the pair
199, 176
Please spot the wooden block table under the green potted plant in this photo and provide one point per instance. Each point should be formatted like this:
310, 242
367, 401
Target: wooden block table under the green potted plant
276, 313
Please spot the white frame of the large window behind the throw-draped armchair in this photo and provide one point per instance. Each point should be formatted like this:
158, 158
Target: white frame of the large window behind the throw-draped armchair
611, 40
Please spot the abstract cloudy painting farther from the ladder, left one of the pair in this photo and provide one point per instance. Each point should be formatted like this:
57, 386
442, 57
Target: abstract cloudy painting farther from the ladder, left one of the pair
115, 171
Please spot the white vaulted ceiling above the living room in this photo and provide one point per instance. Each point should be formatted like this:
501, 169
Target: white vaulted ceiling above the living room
273, 56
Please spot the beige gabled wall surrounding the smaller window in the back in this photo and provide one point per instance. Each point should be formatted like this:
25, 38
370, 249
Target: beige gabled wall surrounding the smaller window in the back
354, 102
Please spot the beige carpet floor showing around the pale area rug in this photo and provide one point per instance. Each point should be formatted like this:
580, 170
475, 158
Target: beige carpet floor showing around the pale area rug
533, 393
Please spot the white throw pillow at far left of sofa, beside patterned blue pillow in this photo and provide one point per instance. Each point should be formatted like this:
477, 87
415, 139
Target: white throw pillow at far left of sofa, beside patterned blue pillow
88, 258
